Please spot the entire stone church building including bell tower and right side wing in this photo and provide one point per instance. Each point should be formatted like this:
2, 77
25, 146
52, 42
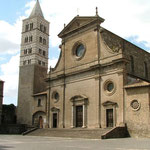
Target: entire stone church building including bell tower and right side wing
99, 81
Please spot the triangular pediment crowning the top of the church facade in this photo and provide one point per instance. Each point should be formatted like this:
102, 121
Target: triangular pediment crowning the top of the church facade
78, 23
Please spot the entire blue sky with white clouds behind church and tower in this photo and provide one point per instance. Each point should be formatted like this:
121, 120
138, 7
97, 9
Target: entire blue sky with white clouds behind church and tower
126, 18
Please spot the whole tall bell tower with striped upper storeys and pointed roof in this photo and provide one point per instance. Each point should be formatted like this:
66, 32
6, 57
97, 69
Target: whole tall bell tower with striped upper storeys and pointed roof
33, 62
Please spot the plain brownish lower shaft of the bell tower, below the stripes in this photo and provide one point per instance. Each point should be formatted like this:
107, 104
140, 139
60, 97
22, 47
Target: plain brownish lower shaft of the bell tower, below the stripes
31, 81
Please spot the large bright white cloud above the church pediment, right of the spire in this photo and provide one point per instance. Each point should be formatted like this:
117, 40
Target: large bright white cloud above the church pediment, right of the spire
125, 18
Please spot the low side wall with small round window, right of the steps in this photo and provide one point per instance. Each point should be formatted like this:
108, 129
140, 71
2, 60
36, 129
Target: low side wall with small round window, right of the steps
137, 111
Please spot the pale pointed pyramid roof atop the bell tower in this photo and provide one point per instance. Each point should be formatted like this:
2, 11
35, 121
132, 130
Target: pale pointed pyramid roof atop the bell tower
37, 11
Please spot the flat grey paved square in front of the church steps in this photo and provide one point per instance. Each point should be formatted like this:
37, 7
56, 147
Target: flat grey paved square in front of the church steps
17, 142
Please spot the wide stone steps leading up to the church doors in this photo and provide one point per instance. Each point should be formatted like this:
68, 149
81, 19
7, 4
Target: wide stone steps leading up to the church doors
70, 133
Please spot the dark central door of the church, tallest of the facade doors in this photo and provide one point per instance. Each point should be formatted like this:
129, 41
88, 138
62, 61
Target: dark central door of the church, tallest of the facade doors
79, 116
